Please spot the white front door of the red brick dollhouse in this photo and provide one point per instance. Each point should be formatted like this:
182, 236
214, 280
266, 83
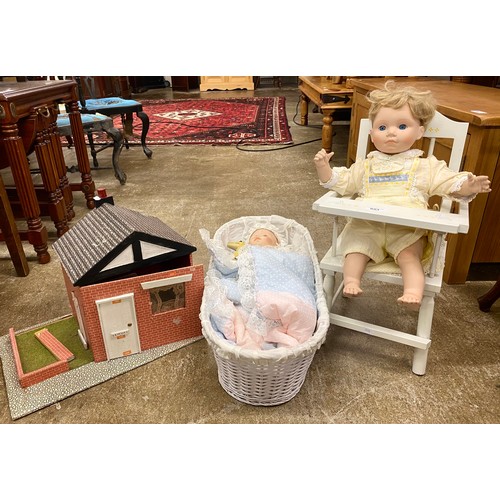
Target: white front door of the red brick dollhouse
119, 325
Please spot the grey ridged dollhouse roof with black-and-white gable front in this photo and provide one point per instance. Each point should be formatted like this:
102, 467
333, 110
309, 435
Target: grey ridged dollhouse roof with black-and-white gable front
111, 241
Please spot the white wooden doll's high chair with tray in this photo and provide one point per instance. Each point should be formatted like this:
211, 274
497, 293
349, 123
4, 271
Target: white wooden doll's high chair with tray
440, 221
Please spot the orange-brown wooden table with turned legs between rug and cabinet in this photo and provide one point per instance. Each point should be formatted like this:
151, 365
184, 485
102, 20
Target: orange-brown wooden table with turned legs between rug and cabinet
329, 97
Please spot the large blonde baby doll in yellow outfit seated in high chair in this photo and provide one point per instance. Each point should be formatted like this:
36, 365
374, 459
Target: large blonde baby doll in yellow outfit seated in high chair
398, 175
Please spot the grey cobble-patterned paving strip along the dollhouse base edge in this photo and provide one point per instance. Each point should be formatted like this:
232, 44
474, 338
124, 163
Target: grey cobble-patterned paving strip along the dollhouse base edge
23, 401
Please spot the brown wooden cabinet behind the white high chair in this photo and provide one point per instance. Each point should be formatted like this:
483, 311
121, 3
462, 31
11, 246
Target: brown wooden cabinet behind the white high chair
480, 107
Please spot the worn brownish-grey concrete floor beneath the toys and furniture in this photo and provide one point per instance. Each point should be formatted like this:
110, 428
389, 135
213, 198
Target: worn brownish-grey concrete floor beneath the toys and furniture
354, 378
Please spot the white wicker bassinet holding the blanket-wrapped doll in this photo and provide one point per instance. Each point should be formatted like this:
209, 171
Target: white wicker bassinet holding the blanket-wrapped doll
270, 377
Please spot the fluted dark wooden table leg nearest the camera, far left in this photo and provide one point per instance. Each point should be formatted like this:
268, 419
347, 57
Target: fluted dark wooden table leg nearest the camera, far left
37, 232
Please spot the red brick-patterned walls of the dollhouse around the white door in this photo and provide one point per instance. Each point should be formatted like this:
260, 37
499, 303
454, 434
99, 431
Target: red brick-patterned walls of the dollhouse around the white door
154, 329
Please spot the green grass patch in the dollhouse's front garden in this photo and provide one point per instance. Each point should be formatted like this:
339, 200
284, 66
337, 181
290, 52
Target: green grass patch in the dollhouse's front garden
34, 355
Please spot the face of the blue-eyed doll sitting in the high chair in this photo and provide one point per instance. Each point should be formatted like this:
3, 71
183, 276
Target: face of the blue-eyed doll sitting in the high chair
395, 130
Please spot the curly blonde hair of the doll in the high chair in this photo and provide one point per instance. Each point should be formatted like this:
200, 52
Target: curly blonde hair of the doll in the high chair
421, 102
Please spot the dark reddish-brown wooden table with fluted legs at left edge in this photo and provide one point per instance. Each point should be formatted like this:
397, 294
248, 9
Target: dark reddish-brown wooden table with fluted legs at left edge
28, 114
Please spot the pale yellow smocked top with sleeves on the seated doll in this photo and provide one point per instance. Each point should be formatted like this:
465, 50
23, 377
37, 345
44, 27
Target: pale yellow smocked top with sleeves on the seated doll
403, 179
